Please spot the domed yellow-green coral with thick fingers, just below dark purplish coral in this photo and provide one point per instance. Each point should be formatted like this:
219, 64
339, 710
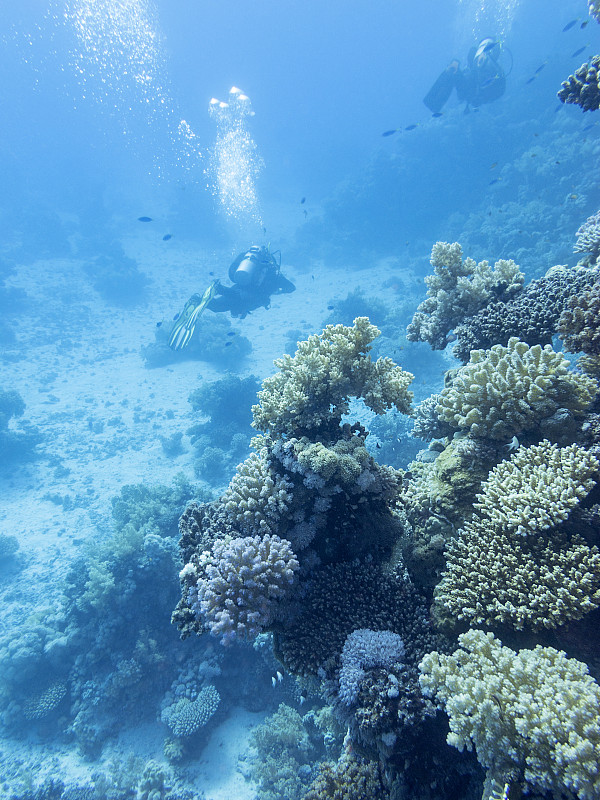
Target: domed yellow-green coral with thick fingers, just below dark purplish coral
504, 391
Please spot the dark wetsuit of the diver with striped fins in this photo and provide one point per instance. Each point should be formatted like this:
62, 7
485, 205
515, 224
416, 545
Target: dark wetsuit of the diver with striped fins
240, 300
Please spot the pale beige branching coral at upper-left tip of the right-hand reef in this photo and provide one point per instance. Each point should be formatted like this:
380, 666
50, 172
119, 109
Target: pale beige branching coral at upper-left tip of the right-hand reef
458, 289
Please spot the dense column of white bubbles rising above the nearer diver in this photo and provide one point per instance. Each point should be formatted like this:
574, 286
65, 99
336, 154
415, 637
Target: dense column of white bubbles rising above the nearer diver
235, 163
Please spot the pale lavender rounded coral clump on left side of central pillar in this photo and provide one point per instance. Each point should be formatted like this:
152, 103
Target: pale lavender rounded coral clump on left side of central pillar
238, 583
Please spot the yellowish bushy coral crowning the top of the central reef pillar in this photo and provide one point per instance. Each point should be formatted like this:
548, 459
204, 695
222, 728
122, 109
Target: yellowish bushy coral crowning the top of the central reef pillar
311, 390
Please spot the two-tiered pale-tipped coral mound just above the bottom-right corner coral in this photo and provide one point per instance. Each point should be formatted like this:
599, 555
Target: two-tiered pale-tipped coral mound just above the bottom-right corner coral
514, 563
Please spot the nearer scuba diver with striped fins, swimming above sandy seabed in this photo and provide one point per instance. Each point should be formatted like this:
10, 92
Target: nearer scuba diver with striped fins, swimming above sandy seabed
255, 275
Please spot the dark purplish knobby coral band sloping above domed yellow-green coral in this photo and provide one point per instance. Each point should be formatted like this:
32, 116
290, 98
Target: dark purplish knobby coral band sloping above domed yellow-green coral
532, 314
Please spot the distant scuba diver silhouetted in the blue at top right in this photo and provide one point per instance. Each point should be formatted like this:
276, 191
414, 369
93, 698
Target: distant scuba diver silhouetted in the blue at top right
483, 80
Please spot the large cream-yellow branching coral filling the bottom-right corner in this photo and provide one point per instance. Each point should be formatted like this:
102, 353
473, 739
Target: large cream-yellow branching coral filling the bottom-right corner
533, 713
